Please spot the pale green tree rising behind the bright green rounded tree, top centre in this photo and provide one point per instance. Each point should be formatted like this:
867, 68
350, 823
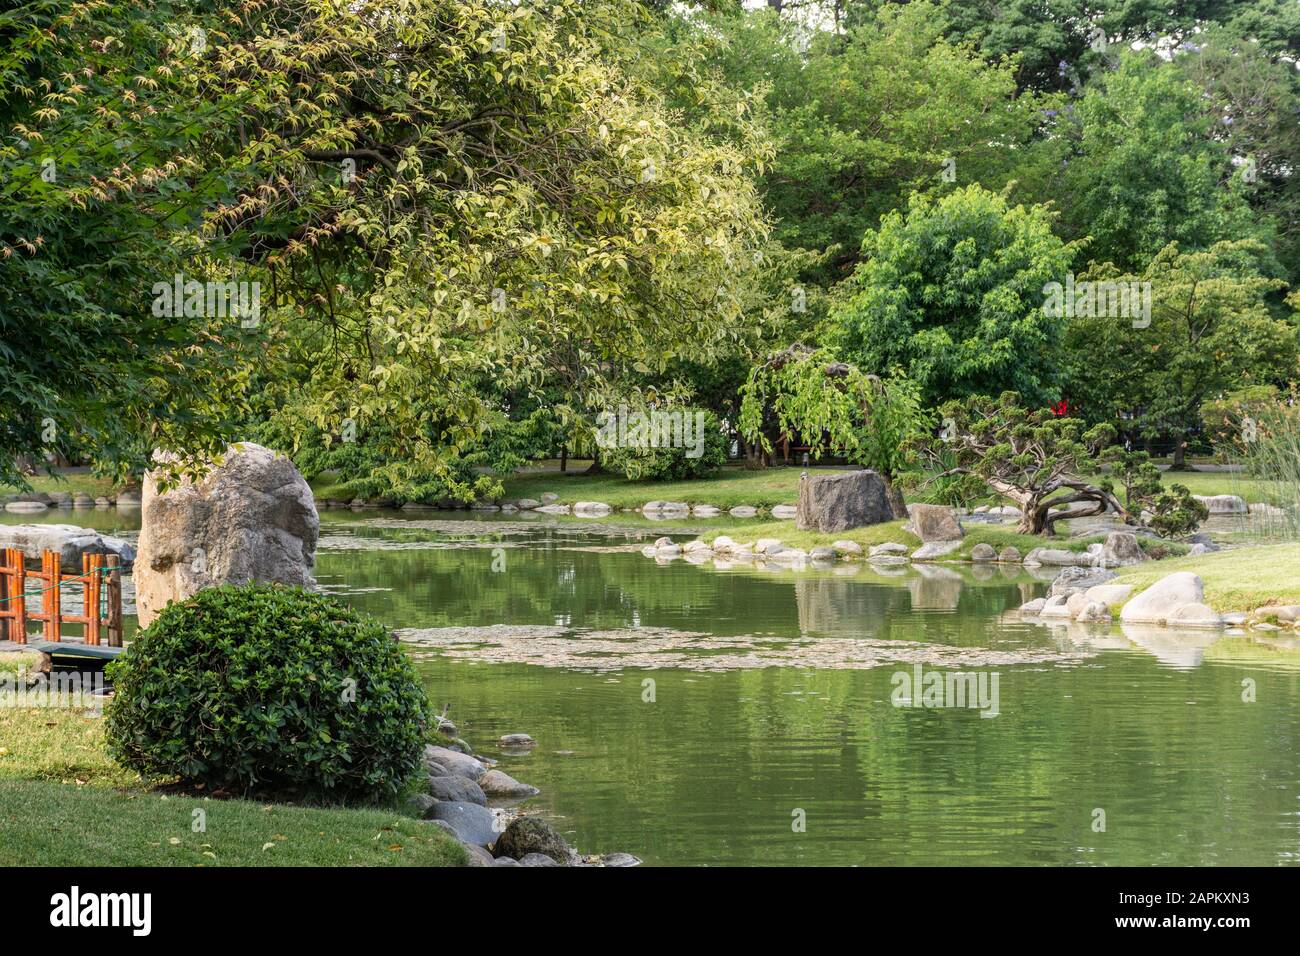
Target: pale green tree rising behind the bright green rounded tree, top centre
866, 118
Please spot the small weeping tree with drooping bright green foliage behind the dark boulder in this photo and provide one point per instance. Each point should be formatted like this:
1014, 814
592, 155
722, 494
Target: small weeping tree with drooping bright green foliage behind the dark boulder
837, 406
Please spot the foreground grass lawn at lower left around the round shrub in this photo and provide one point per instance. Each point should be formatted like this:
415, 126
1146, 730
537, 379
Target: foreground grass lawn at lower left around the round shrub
64, 803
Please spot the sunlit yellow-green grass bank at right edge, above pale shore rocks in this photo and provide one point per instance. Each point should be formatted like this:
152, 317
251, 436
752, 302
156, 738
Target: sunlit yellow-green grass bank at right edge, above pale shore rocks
1237, 581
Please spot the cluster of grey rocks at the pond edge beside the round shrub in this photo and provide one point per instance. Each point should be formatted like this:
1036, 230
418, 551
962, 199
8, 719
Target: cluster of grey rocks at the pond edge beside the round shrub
478, 804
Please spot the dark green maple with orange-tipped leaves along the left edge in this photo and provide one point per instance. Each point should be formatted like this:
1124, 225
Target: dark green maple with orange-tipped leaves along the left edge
92, 179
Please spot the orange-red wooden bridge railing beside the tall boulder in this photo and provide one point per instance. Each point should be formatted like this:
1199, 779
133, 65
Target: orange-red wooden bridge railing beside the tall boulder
102, 598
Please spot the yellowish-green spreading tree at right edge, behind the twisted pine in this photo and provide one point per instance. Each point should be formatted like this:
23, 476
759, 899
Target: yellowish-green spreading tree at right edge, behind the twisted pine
1212, 328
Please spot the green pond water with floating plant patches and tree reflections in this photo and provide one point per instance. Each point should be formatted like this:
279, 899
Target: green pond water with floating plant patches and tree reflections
770, 732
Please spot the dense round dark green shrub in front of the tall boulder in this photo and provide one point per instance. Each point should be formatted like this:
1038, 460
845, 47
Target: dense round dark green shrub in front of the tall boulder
268, 689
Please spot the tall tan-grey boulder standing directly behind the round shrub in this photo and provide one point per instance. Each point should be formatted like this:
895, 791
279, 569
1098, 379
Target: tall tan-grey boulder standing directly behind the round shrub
252, 520
